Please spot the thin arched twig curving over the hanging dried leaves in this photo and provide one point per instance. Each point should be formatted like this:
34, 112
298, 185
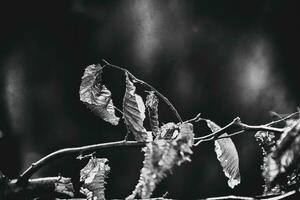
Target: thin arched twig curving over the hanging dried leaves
149, 86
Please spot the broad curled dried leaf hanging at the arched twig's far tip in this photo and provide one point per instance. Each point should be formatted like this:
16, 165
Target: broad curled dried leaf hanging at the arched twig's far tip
97, 96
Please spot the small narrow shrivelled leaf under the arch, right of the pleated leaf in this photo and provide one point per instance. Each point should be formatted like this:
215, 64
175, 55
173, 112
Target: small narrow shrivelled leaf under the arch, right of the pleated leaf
152, 106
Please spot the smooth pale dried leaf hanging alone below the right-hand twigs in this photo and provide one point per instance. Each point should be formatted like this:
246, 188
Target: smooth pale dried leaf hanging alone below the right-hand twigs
227, 155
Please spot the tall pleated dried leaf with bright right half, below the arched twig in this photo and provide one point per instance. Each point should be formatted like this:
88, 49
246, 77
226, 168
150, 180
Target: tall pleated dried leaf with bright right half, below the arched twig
134, 112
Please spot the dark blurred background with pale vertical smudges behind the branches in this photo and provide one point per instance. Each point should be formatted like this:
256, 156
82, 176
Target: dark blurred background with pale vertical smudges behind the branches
221, 58
